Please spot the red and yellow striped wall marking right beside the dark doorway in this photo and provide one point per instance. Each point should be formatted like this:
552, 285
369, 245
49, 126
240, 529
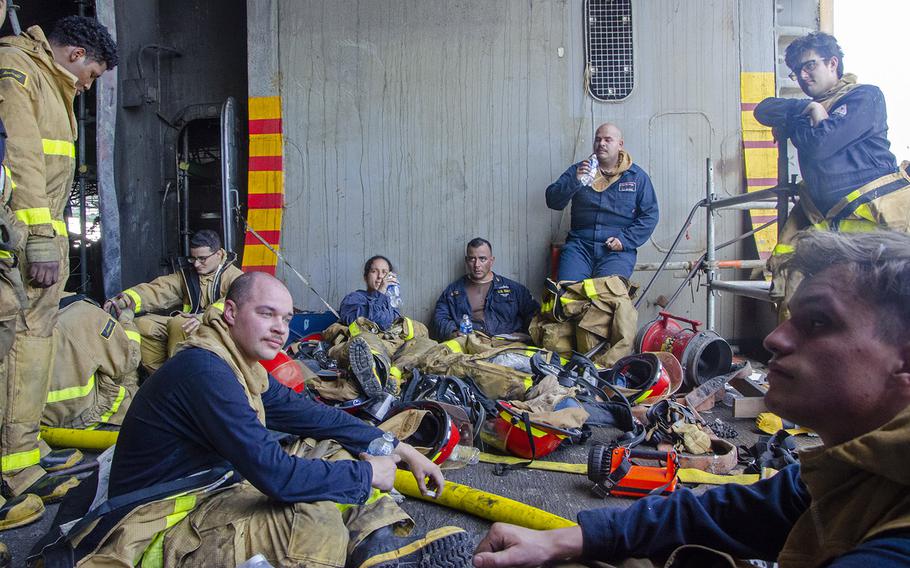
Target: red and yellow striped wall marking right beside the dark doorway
265, 184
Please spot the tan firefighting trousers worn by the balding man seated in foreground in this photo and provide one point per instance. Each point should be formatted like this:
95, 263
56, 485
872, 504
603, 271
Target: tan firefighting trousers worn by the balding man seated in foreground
228, 527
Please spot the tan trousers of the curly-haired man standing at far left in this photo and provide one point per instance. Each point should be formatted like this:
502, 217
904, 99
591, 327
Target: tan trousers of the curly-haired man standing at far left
27, 378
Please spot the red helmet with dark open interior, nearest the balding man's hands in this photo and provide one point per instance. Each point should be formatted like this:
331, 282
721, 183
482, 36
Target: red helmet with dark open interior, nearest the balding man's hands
443, 427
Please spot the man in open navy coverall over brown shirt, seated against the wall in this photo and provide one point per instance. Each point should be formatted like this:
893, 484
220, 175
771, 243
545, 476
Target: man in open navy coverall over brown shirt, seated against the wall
495, 304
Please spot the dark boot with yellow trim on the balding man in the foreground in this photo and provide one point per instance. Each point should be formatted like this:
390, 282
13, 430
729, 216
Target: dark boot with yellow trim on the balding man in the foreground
446, 547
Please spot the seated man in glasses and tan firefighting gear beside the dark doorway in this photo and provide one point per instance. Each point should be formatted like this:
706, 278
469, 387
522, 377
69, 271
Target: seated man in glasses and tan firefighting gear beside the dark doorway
179, 298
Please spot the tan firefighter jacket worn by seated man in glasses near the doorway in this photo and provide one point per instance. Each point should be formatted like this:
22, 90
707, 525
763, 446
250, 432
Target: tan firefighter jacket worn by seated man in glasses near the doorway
184, 290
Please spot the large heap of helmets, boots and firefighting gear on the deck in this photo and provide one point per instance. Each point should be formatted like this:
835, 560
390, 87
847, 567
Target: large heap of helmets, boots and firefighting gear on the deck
451, 417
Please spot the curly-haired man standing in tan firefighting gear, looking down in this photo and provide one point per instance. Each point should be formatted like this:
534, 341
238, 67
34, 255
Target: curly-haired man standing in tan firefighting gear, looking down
39, 78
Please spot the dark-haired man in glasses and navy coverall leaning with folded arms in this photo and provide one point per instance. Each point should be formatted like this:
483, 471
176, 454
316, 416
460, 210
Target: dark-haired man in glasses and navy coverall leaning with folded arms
851, 180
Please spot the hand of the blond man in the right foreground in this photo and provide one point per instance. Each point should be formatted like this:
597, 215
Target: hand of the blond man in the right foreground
509, 545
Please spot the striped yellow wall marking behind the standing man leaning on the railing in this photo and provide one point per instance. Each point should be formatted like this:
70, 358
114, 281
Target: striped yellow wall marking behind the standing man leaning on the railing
760, 153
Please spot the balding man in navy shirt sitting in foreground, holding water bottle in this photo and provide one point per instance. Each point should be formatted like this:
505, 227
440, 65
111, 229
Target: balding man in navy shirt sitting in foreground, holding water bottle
213, 408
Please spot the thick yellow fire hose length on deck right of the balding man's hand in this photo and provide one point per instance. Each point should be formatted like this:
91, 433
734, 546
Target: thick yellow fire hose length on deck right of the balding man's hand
484, 505
